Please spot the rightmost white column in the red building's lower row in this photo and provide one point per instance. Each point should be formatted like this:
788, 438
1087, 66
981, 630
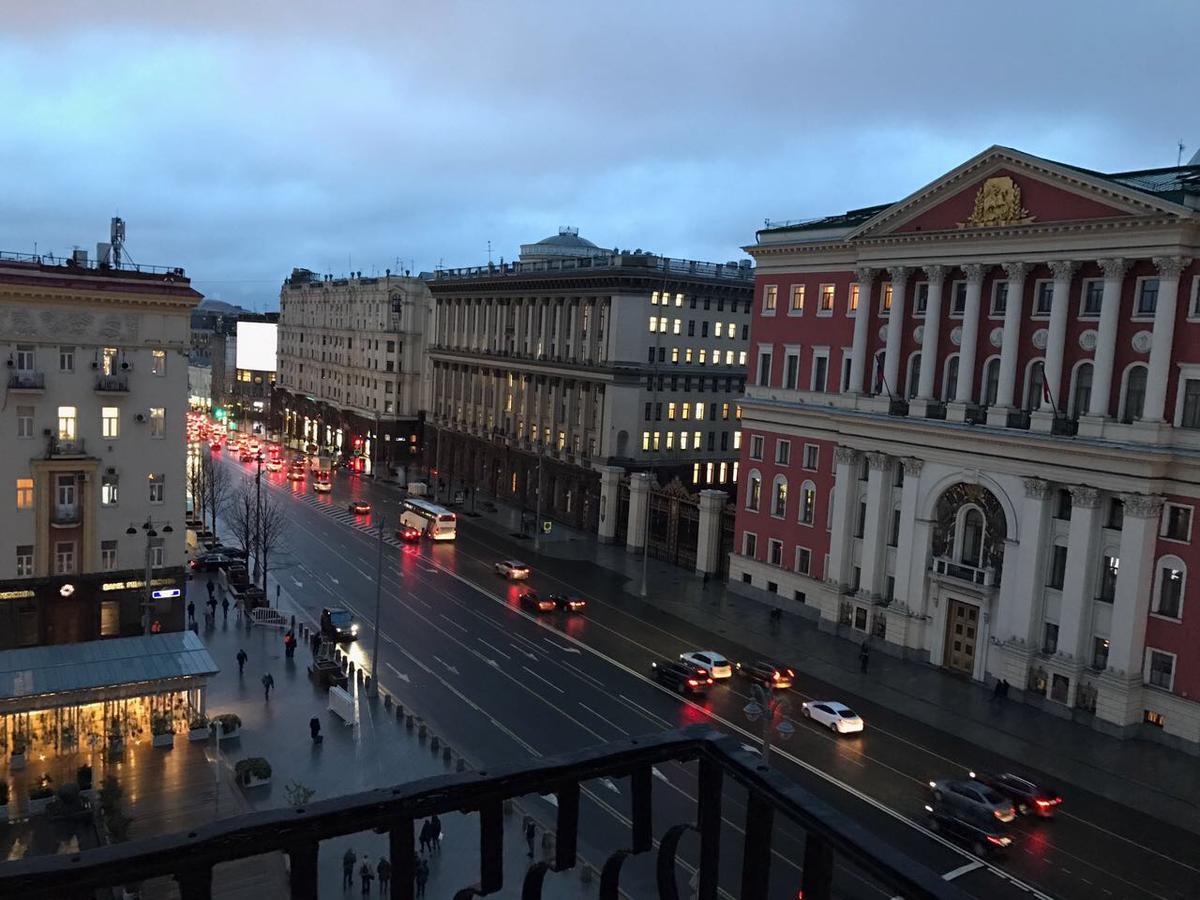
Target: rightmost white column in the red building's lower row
1136, 580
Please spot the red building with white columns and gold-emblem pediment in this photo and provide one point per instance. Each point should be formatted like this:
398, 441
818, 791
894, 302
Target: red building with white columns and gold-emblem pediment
973, 431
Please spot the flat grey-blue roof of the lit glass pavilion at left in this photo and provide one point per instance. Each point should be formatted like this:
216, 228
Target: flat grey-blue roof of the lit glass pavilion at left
94, 665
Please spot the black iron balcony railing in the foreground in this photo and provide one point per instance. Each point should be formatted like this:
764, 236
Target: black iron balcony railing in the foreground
830, 835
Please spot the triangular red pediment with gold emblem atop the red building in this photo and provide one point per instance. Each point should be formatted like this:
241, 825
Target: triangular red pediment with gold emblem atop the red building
1005, 189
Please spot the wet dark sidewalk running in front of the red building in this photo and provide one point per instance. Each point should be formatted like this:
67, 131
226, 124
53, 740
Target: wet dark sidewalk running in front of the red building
1137, 773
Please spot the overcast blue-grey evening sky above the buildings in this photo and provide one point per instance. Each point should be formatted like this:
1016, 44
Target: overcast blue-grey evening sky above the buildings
242, 139
